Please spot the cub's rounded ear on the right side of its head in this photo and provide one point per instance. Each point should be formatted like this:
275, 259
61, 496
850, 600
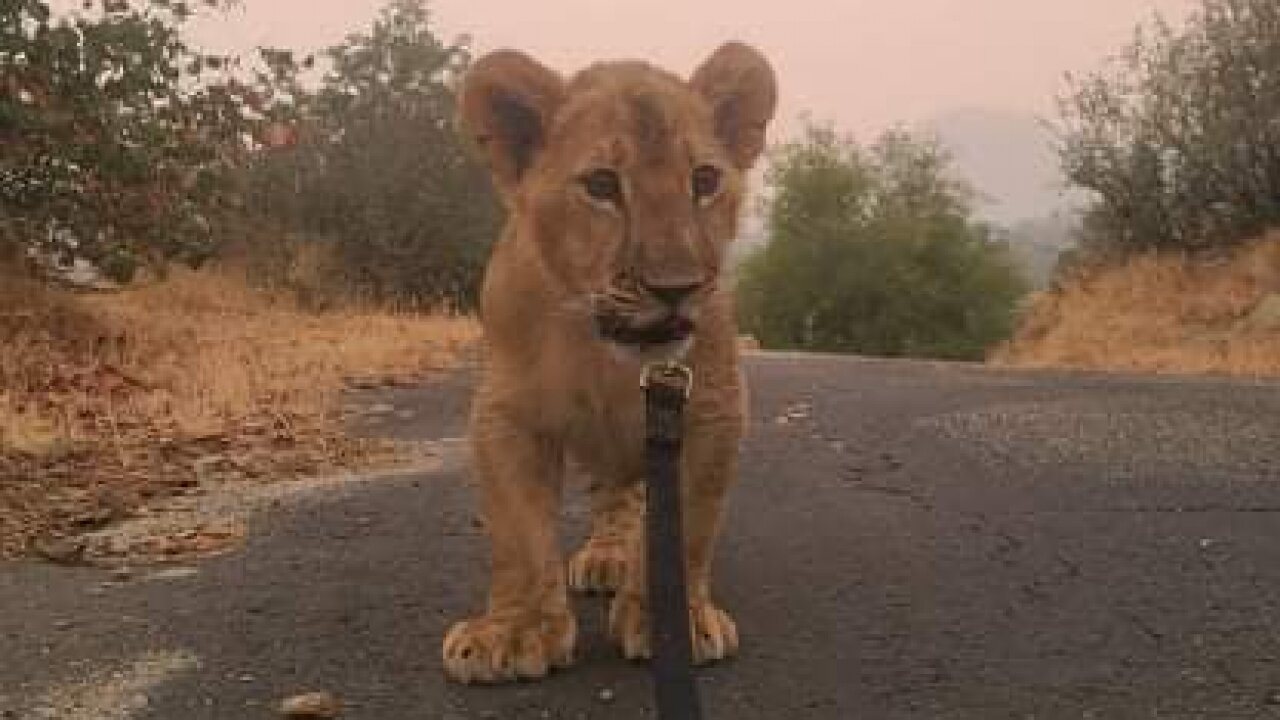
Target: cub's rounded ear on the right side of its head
743, 93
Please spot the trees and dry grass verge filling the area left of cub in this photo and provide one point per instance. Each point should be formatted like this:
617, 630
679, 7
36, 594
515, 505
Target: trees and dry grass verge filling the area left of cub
200, 253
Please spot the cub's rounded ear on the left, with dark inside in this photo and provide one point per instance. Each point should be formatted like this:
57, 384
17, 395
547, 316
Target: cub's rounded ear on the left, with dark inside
506, 104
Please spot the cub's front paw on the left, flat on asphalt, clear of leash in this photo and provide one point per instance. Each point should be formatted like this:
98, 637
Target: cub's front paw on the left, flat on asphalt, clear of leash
490, 651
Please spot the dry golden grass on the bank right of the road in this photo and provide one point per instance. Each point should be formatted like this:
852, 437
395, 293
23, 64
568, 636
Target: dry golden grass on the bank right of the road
1158, 315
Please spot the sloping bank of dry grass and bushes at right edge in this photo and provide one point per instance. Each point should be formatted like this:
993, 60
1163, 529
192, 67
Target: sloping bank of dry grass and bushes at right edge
1178, 267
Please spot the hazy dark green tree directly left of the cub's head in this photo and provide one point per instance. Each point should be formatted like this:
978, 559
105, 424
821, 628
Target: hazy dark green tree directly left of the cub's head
380, 168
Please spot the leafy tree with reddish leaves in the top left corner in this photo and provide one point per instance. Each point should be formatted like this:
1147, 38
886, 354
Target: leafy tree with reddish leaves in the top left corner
117, 139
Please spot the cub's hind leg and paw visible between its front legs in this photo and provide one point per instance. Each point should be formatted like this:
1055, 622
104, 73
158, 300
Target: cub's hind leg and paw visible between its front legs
618, 511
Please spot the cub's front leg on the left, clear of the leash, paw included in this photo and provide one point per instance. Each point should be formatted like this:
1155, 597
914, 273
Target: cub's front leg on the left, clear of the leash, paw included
528, 628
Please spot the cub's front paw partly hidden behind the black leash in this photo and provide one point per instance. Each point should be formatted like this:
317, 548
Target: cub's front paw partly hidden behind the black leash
715, 635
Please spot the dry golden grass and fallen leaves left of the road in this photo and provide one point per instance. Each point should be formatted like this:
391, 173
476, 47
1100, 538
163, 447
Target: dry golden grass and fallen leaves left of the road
117, 395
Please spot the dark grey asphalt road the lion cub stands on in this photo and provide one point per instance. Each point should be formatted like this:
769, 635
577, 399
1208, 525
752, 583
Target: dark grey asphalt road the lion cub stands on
908, 541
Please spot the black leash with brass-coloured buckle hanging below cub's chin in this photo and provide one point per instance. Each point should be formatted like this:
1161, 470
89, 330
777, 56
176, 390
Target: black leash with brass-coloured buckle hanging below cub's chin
666, 389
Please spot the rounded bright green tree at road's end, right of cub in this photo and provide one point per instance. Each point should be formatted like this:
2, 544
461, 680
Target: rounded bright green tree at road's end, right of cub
875, 250
